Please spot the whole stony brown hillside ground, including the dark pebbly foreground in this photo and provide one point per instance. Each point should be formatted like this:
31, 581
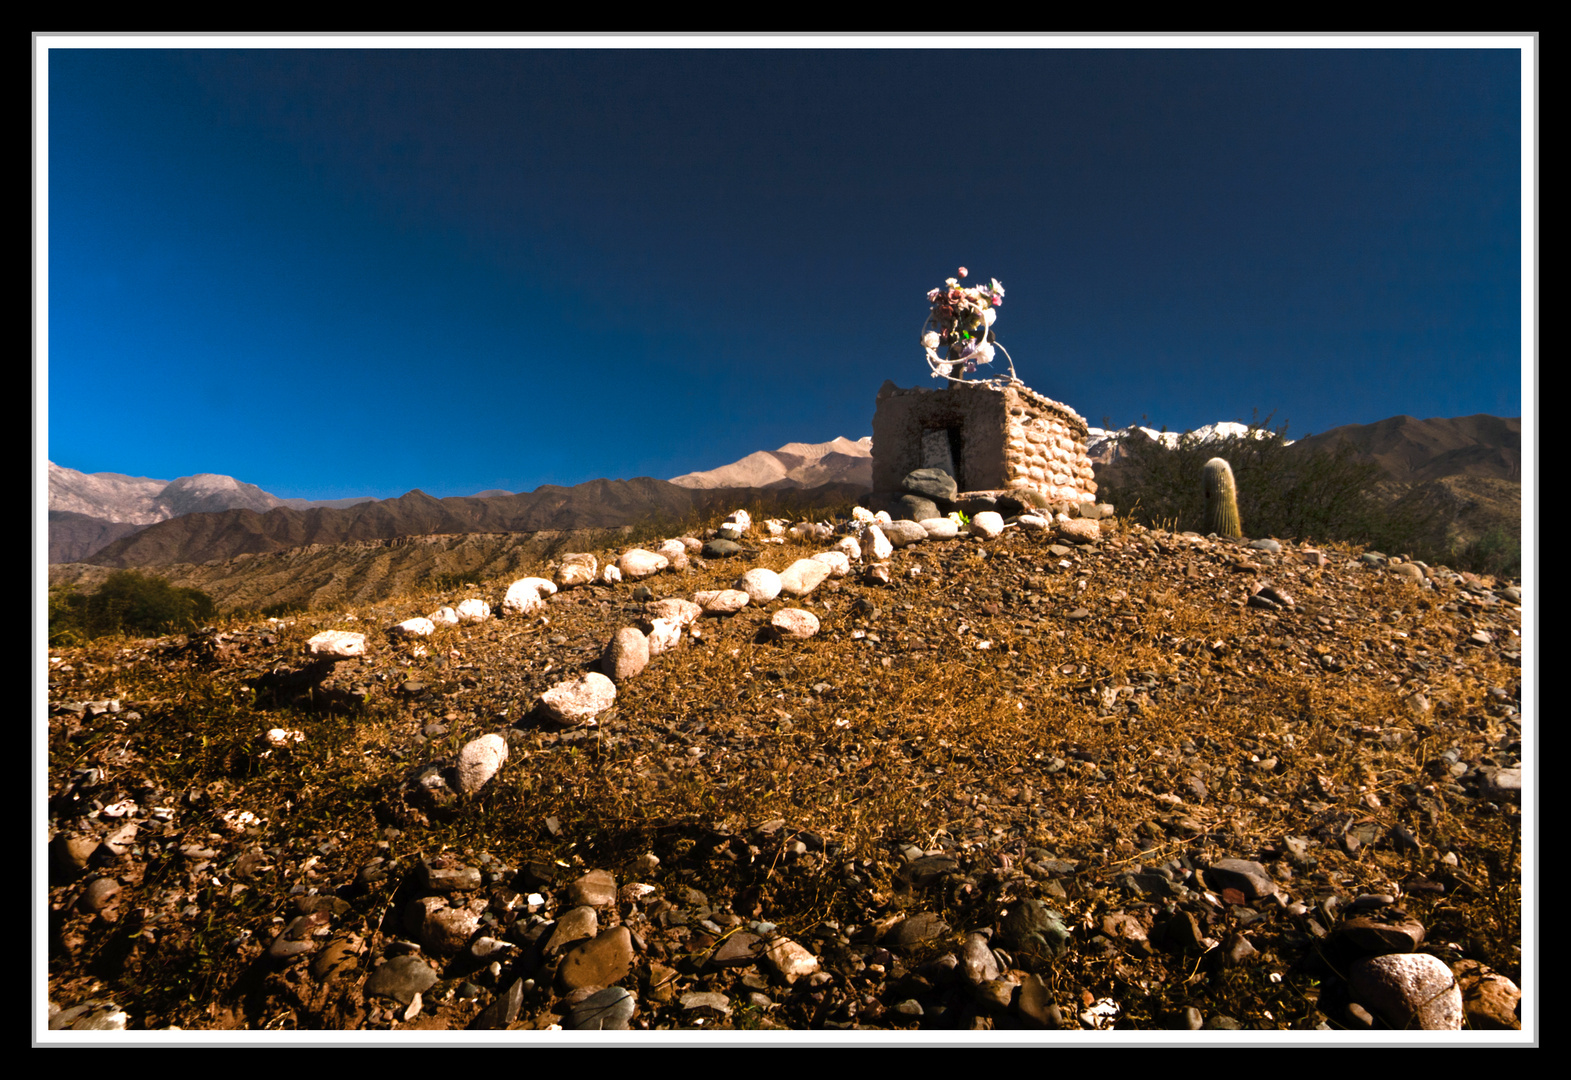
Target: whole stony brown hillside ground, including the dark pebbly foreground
1148, 784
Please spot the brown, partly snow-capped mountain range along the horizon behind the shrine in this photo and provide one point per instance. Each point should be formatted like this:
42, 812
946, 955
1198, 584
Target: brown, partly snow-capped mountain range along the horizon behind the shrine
196, 529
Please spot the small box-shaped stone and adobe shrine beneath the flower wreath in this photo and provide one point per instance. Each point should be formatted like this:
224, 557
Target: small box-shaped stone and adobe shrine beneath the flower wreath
987, 436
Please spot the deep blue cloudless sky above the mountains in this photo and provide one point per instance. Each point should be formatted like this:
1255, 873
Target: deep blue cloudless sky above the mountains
364, 271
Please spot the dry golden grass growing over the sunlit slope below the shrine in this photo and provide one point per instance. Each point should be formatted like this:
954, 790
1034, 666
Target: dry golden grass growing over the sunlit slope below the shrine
1086, 740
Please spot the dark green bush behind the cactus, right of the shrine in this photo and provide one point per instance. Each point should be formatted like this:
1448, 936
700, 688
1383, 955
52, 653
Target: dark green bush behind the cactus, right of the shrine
1283, 491
